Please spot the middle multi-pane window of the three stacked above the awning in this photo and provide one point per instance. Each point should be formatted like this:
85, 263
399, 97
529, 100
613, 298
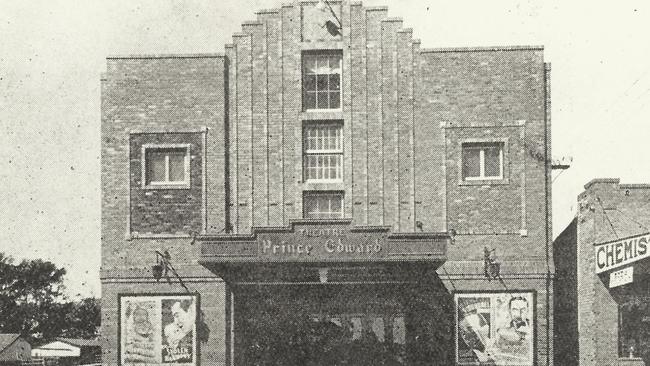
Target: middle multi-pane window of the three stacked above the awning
323, 152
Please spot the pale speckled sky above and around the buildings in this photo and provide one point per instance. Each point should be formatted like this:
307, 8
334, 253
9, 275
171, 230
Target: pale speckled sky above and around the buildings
52, 53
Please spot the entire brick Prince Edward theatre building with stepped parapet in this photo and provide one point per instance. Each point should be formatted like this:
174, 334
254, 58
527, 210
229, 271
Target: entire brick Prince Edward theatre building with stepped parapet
328, 190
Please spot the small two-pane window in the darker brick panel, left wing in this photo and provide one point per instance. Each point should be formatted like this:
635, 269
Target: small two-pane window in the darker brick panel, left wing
166, 165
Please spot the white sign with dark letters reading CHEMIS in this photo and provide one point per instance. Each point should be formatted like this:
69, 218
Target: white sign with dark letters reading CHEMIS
621, 252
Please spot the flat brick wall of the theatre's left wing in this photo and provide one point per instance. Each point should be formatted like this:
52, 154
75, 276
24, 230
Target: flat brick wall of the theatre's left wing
161, 99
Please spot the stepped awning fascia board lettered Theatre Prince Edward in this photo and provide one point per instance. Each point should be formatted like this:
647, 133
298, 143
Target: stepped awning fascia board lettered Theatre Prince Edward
324, 242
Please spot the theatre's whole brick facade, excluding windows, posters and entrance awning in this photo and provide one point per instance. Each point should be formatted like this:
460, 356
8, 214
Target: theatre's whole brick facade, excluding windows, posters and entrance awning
406, 111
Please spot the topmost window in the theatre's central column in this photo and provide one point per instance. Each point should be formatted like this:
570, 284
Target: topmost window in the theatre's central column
321, 80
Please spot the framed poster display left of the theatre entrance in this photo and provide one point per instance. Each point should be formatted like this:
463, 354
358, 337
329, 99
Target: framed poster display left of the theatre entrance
158, 329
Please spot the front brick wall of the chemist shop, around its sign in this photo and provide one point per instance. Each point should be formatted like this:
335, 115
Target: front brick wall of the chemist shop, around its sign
608, 211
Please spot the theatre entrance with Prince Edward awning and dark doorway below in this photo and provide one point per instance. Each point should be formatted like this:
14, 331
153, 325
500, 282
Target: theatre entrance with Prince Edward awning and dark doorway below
329, 293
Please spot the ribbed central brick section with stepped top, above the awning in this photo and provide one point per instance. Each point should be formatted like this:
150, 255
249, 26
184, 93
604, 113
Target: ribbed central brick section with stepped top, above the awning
384, 183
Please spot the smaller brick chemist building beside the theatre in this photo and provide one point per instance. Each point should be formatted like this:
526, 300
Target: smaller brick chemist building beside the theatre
603, 292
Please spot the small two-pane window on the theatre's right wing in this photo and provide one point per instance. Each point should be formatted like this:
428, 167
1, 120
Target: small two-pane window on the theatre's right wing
482, 161
